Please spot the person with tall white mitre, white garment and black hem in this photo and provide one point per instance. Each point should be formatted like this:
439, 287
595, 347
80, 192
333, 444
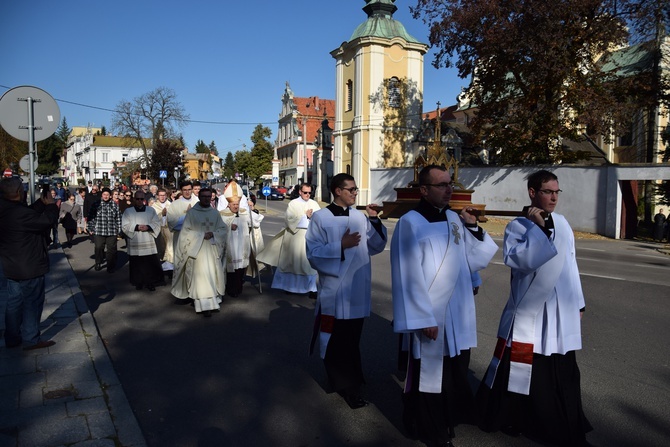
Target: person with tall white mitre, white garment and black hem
240, 223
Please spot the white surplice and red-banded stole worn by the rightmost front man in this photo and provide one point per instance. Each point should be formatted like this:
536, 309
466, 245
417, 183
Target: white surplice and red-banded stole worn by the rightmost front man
542, 314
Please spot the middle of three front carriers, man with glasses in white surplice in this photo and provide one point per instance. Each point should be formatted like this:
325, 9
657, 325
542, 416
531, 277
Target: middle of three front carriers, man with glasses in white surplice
434, 254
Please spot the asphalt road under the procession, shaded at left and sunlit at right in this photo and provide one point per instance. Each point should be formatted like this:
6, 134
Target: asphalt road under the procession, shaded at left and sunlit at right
243, 377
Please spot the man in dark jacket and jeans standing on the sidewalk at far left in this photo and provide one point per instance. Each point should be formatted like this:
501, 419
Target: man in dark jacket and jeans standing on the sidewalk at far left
23, 252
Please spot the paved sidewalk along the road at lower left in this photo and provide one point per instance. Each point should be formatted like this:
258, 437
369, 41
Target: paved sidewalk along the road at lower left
67, 394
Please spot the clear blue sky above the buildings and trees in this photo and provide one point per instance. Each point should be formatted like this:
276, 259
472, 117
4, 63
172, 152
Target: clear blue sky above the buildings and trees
227, 61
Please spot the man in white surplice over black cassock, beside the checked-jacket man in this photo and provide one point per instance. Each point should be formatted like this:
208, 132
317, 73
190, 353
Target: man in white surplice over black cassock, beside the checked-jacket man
141, 225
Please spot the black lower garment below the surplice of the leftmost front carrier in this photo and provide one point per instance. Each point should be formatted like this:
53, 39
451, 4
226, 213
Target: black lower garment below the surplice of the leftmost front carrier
343, 356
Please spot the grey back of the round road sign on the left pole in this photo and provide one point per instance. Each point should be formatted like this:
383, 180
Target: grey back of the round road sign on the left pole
15, 113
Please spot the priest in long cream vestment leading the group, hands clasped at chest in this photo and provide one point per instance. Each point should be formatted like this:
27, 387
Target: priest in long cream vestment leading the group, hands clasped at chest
199, 273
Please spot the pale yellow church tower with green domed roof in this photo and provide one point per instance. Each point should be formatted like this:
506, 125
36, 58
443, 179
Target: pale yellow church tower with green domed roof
379, 96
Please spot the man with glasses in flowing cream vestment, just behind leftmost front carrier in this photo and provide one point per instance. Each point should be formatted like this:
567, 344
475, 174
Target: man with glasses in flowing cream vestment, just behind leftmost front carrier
294, 274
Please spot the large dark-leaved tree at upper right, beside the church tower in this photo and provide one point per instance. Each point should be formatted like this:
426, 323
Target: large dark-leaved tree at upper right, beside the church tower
534, 69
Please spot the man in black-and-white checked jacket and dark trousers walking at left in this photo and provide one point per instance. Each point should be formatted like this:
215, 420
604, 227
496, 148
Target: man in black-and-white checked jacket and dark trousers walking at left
104, 223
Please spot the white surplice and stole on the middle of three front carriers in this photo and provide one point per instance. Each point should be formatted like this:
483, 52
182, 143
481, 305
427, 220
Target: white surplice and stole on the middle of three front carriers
432, 266
